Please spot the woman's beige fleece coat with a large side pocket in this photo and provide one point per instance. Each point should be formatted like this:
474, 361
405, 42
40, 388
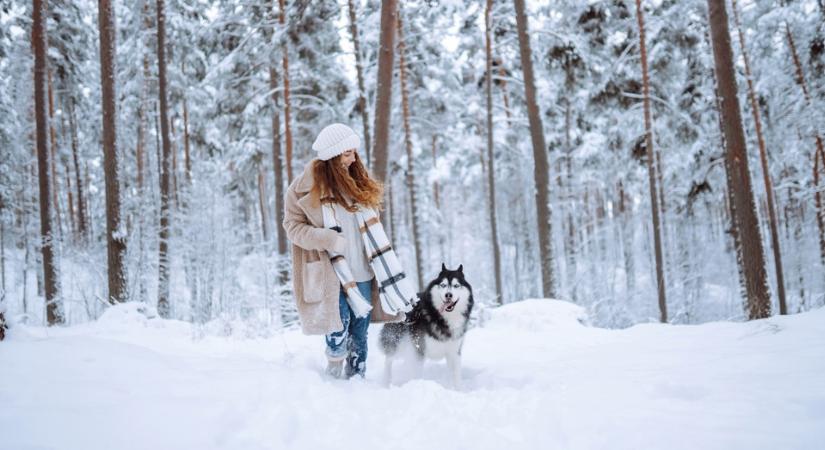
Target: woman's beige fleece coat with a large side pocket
314, 281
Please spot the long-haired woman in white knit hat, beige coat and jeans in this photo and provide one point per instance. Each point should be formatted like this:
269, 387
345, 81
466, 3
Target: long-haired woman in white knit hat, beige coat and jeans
338, 182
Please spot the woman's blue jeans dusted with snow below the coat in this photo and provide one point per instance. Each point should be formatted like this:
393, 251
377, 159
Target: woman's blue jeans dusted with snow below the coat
351, 342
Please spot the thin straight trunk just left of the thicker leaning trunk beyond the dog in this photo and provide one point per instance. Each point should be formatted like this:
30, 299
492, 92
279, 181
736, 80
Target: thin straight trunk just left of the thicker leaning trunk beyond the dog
491, 179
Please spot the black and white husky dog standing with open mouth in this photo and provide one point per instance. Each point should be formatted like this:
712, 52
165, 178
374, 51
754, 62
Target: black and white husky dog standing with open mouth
436, 325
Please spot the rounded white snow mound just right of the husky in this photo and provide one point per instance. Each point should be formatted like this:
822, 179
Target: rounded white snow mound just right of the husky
539, 314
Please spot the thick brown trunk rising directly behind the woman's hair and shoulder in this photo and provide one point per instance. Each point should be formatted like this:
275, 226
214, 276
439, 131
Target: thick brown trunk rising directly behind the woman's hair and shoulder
383, 95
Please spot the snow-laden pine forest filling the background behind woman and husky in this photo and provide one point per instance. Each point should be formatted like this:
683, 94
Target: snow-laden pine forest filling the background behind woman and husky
147, 147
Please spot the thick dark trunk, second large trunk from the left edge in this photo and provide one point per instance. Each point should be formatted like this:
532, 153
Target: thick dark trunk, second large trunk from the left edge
115, 235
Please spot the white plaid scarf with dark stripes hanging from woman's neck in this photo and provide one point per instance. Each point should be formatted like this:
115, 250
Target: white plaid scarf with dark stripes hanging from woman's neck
394, 289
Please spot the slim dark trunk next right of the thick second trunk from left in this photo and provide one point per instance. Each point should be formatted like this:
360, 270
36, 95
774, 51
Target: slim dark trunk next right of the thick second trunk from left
166, 170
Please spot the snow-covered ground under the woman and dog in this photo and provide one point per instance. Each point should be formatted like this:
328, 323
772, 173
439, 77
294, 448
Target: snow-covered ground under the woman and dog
535, 378
